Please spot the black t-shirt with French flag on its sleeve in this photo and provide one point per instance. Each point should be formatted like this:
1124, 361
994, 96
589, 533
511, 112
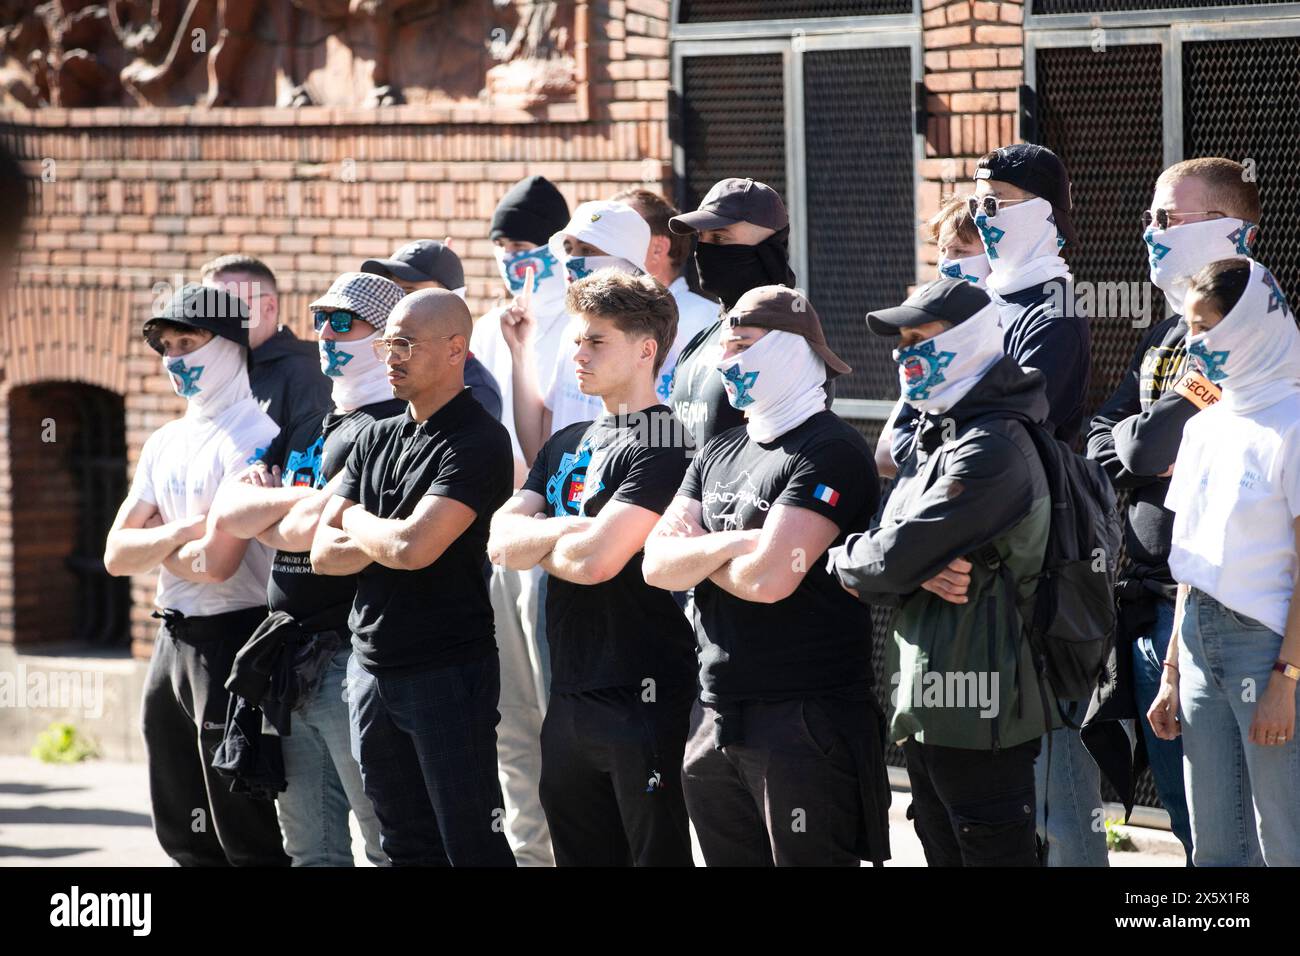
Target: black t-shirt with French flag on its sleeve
818, 641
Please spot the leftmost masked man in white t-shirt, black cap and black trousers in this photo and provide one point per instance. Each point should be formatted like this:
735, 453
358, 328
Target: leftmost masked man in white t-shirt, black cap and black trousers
213, 586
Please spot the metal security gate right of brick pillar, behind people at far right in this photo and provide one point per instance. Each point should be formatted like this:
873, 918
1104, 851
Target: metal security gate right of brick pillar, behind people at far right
1123, 90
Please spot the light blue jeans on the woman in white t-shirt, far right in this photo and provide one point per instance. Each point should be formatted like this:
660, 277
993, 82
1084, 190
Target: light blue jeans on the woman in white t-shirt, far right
1242, 797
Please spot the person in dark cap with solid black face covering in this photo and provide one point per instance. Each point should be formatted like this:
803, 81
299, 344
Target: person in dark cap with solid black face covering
743, 244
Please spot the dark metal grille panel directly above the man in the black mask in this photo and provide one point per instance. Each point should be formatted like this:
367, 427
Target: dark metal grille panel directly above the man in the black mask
733, 122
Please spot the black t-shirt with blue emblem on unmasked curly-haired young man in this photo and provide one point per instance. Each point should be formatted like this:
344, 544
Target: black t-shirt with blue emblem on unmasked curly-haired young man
622, 631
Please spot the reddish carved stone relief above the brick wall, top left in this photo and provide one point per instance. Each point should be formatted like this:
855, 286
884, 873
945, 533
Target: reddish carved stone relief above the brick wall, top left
288, 53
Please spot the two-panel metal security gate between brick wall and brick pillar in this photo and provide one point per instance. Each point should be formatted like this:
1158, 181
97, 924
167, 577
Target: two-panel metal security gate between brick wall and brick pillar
822, 110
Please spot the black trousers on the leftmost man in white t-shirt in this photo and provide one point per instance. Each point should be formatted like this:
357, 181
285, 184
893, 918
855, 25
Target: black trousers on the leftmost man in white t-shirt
197, 819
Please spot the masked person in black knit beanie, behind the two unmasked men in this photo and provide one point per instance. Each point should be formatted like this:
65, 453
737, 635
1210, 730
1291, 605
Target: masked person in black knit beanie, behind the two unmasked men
523, 224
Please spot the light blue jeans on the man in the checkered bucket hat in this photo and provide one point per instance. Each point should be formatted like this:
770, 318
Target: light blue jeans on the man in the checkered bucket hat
324, 780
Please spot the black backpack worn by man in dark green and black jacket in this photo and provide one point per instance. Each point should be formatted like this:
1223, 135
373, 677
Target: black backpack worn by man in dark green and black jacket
1073, 626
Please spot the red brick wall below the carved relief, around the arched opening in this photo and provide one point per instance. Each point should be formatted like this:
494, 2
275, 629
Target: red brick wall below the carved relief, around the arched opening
135, 197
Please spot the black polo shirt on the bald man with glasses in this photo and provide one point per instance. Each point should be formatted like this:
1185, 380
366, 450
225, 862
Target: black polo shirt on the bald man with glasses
437, 616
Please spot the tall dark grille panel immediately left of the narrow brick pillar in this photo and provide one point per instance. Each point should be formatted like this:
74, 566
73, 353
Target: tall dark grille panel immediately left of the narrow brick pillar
861, 210
